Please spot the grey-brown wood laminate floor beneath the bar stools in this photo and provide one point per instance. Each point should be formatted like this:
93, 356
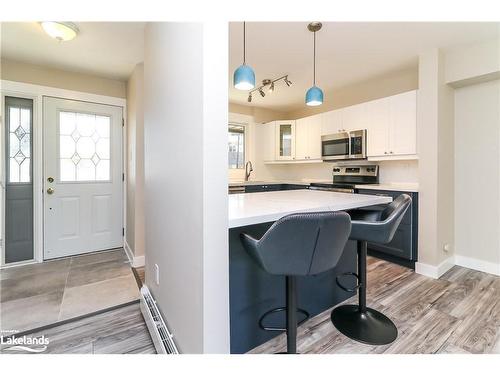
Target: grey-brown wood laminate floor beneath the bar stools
458, 313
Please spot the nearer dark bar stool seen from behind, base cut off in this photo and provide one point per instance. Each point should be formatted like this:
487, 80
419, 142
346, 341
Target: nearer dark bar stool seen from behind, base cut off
299, 245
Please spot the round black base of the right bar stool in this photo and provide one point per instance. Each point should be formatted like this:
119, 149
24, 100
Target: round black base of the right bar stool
371, 327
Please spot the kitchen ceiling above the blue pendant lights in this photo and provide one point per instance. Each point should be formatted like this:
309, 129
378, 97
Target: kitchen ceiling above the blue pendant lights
346, 52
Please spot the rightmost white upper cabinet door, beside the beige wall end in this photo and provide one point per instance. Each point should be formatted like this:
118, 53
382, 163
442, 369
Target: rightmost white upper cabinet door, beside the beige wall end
403, 124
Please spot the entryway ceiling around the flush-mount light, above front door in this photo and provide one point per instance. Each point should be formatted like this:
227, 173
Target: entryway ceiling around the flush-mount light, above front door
106, 49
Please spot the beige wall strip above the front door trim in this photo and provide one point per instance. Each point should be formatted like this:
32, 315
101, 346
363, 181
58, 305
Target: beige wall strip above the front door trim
45, 76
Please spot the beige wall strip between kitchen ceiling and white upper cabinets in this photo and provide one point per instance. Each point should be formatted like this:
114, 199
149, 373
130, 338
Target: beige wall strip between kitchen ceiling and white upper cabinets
381, 86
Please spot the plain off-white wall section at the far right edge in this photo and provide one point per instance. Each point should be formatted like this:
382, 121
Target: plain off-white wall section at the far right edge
477, 172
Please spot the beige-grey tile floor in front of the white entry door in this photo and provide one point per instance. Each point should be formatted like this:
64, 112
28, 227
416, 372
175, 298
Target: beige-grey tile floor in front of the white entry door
34, 296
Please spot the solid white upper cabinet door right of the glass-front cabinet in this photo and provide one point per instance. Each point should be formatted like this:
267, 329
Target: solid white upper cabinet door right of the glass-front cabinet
308, 138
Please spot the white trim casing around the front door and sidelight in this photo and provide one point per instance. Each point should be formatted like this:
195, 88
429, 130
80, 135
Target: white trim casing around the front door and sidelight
36, 93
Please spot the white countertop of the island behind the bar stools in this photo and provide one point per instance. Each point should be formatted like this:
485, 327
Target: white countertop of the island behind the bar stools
255, 208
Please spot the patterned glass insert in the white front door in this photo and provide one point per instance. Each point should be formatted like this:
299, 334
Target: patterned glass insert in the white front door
84, 147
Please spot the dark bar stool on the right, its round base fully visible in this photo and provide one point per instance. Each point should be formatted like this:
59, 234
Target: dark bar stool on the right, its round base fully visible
359, 322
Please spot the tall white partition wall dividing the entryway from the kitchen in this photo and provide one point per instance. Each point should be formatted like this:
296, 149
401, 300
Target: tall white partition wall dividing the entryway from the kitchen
186, 181
